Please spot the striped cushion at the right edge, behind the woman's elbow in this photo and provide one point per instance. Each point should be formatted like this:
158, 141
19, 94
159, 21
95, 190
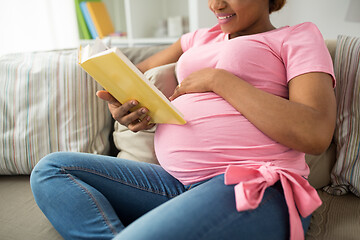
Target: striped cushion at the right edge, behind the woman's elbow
346, 173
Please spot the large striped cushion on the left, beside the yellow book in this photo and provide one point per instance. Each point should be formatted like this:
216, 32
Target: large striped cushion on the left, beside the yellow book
48, 104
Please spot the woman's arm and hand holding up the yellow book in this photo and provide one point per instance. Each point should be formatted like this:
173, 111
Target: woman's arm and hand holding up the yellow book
120, 112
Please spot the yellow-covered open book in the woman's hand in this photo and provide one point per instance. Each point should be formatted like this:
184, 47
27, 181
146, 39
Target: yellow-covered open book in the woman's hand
120, 77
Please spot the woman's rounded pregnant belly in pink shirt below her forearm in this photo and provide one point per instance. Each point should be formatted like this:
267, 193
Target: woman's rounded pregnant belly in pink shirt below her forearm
215, 136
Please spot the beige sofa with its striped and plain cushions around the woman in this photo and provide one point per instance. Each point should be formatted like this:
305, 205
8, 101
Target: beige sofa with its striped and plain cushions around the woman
338, 218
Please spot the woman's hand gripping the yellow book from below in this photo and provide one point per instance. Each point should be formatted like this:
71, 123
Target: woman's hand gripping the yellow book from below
134, 121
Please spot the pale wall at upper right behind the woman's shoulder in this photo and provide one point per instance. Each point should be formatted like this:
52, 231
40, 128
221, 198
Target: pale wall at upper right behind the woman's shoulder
333, 17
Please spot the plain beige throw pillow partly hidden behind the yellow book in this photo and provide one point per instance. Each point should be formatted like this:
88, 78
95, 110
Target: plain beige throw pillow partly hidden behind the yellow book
140, 146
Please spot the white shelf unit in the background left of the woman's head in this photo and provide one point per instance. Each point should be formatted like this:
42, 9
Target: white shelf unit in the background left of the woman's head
145, 21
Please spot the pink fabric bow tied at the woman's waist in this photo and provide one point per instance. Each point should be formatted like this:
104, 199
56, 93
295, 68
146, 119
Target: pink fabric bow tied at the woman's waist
251, 183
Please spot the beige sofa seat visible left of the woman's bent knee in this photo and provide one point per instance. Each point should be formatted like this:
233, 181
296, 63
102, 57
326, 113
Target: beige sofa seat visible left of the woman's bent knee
20, 217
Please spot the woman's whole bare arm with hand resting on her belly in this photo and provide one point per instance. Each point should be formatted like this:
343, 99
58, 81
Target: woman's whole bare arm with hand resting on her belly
305, 122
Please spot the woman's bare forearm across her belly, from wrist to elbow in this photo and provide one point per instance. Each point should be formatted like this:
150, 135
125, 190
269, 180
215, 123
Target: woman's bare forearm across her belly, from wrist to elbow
302, 127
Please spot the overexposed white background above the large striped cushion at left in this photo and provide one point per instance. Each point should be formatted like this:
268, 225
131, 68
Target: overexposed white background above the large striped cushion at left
37, 25
